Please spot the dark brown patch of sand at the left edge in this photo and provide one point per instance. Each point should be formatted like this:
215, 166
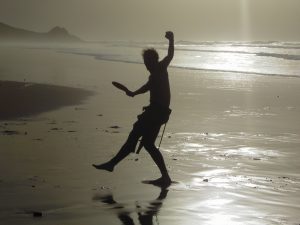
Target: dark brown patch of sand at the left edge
22, 99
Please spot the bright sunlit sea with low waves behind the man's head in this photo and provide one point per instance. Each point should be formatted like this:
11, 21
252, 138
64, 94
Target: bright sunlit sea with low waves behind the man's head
262, 58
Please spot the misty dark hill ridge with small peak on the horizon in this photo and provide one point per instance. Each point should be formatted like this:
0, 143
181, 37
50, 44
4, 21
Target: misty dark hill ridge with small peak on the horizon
57, 34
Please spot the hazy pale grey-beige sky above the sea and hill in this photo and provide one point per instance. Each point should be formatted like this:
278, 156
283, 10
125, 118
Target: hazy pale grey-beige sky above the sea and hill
149, 19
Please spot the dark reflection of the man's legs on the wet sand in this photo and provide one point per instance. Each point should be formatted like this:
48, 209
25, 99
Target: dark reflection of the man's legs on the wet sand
145, 216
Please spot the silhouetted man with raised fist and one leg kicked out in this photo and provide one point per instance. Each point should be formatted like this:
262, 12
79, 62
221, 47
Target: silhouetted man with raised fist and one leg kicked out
154, 115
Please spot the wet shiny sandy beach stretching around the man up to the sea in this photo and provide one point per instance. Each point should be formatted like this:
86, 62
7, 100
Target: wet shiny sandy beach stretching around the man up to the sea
232, 145
